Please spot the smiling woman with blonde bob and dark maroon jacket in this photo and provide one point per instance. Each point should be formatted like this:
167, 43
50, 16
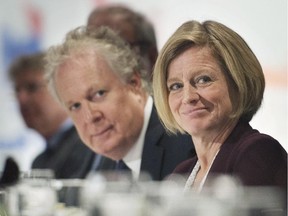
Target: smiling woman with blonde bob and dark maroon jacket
207, 82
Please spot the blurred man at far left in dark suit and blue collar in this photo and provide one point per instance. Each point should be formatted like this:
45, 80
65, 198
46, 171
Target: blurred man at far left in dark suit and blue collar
65, 153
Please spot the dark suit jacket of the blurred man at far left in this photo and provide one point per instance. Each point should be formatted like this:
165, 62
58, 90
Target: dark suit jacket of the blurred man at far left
68, 159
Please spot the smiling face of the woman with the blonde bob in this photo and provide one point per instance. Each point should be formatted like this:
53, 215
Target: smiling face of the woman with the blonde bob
198, 92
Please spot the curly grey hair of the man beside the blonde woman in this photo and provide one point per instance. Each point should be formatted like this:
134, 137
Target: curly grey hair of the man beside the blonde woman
101, 41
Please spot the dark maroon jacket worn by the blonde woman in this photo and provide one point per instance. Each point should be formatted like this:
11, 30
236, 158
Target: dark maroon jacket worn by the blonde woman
257, 159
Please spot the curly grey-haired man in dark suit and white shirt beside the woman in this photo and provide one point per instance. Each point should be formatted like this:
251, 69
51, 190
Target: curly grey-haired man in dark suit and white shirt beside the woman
105, 89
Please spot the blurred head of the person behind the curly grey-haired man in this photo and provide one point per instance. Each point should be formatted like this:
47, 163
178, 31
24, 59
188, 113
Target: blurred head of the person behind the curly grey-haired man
132, 26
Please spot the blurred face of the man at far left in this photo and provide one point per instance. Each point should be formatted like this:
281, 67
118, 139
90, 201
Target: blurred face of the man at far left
39, 110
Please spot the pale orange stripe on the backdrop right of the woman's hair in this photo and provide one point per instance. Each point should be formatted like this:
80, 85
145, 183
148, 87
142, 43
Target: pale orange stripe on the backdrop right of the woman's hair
276, 78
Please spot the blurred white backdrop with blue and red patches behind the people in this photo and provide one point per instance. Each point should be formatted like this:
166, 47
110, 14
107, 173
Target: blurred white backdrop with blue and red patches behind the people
27, 26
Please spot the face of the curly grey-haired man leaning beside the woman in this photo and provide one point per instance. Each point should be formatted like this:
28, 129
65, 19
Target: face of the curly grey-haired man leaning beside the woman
107, 113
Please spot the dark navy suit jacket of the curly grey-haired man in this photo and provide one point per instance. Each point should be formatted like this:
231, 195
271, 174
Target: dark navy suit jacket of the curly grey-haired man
161, 152
